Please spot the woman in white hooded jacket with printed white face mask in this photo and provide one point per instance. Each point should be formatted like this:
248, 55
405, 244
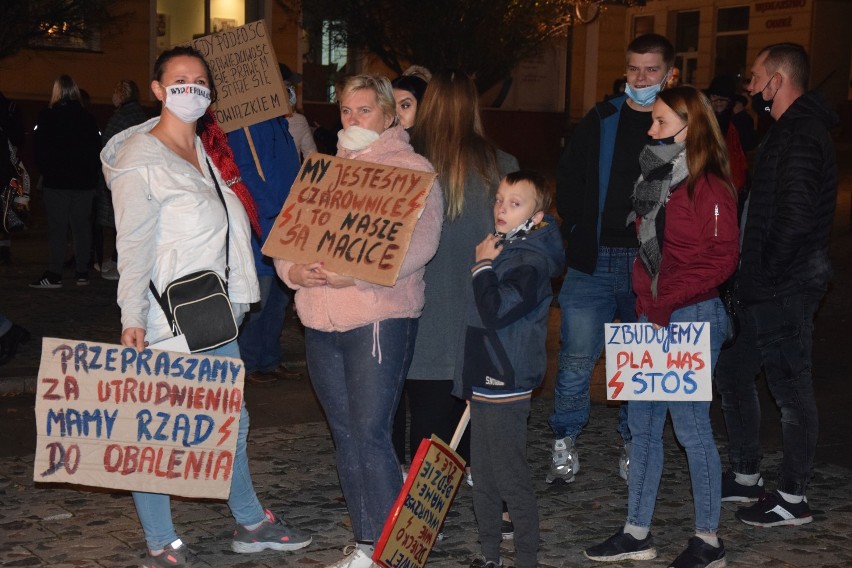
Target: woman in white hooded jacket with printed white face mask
175, 214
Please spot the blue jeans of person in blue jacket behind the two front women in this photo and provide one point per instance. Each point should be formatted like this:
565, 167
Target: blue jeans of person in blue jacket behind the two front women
260, 336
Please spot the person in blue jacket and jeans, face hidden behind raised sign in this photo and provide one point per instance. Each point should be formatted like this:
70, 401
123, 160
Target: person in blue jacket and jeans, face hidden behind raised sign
268, 163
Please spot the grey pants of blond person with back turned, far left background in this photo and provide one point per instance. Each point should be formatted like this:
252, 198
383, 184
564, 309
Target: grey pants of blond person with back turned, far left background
69, 207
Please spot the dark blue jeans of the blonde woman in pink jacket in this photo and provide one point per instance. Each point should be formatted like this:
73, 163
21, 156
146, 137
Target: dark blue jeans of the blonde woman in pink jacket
358, 376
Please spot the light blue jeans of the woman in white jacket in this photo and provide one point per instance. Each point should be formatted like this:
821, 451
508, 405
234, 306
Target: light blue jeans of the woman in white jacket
155, 511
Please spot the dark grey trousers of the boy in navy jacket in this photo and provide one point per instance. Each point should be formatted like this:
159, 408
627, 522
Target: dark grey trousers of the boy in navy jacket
498, 451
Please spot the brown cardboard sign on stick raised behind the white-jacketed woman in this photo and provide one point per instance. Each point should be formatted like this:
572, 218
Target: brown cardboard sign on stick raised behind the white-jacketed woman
246, 74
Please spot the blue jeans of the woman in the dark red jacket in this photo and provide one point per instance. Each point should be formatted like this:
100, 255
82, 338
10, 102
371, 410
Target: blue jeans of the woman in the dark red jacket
691, 421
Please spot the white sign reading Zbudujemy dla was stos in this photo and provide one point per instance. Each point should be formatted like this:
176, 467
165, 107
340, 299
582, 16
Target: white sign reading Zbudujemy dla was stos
670, 363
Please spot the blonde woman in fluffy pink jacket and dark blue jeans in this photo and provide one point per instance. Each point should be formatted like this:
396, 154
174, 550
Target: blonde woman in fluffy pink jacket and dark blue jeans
359, 336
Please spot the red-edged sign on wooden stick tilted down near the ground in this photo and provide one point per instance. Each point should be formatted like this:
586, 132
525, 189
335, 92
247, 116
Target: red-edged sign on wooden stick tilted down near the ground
429, 490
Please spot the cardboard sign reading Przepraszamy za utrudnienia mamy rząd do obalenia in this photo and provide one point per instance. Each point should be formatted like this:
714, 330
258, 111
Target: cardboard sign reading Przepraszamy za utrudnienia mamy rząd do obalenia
156, 421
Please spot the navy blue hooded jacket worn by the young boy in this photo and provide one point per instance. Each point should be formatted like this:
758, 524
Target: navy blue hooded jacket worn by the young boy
507, 323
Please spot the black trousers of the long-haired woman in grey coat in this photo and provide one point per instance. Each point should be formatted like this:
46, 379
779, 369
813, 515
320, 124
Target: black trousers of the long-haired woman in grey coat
434, 410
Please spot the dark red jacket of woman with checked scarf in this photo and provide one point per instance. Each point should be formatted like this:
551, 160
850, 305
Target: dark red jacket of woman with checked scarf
700, 250
